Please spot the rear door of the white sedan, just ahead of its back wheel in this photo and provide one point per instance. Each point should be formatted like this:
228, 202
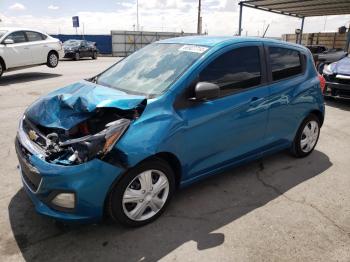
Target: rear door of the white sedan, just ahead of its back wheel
38, 47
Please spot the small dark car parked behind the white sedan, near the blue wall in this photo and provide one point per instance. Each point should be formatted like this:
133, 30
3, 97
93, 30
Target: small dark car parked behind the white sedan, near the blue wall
77, 49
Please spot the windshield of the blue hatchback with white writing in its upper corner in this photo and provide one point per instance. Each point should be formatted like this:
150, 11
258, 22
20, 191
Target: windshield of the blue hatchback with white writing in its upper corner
152, 69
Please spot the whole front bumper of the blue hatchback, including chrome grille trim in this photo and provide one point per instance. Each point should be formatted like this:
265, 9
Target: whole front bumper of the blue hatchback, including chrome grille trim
90, 182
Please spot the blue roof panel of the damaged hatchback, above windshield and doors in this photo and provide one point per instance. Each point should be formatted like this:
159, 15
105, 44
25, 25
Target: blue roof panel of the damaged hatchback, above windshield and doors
218, 40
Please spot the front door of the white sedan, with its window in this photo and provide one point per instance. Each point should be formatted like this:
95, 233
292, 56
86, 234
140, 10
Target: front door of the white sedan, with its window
18, 53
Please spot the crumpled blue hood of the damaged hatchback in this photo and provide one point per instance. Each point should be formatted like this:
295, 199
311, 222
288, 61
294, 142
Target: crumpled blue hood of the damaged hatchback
70, 105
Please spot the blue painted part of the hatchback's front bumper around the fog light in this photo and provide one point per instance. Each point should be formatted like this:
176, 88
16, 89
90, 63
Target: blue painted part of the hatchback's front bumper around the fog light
91, 181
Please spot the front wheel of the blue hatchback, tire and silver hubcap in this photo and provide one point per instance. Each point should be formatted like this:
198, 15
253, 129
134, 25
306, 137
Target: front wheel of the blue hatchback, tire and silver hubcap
142, 195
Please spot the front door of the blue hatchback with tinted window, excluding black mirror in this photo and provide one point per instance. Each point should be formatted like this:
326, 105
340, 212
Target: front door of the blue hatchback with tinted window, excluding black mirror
232, 127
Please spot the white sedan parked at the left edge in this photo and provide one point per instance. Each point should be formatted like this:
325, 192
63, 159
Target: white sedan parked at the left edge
21, 48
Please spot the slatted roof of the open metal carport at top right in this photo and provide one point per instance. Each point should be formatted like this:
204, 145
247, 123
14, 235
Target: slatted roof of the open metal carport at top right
299, 8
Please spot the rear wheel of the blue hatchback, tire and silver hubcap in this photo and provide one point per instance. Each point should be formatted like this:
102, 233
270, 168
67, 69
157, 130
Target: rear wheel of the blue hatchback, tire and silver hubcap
307, 136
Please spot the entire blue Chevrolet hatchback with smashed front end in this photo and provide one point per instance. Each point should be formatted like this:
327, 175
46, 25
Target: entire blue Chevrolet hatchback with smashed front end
170, 114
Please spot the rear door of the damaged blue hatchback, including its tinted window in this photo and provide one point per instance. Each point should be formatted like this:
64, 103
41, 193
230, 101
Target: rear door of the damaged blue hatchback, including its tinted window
286, 68
